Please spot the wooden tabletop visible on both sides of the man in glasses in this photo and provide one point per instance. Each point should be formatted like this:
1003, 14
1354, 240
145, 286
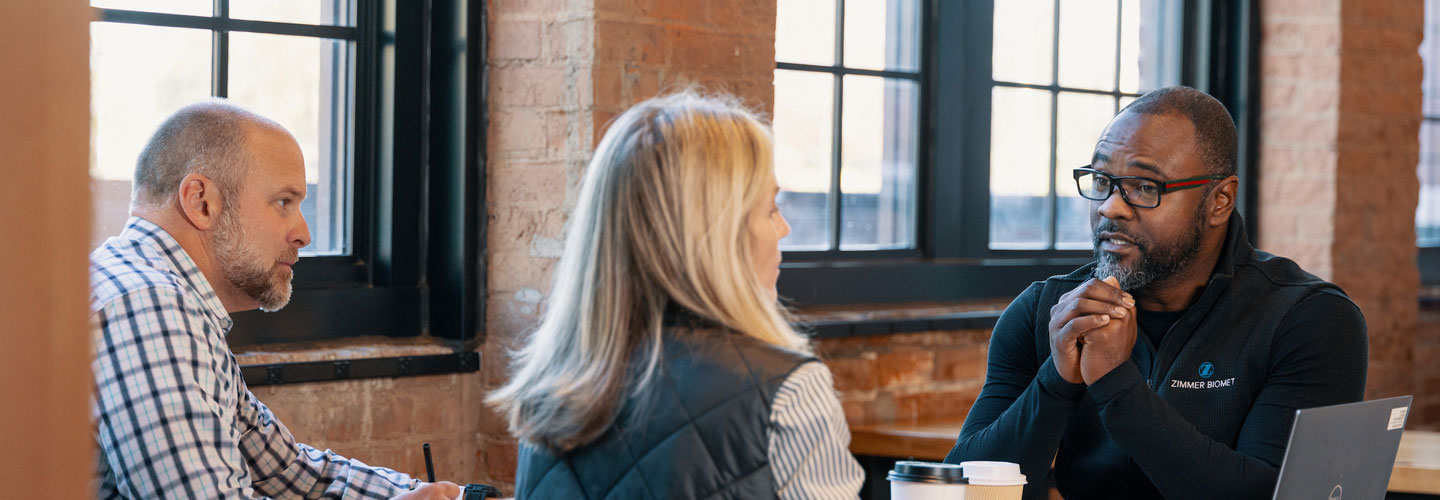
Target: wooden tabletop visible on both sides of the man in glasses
1418, 465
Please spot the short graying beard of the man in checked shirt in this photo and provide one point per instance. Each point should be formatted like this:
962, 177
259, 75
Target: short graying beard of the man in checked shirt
253, 274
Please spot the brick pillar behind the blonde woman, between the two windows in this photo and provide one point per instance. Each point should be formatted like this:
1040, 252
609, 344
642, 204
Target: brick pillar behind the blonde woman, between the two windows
559, 73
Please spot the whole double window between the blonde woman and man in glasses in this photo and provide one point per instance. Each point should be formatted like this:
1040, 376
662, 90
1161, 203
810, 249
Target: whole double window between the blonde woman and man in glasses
948, 177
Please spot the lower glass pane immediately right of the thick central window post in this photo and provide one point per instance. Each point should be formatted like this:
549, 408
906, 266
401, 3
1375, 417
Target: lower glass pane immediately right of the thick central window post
1020, 165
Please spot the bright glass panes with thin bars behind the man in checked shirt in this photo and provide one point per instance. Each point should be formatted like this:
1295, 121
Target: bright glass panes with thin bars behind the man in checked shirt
289, 61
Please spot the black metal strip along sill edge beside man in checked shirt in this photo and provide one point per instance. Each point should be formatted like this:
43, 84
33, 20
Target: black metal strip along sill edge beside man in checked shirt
349, 370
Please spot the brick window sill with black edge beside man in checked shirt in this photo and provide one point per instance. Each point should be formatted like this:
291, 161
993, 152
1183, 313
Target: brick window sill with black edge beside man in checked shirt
348, 360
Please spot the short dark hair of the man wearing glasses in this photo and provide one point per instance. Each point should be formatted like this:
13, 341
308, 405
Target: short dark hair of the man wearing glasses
1215, 129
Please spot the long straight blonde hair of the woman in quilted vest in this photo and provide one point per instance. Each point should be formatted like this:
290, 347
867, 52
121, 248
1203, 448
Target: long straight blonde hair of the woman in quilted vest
662, 220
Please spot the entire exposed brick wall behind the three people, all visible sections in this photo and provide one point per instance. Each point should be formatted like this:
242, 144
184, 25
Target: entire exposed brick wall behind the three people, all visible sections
1338, 155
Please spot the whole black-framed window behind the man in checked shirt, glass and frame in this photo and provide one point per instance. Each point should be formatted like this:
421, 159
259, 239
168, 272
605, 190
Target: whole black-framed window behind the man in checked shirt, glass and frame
394, 217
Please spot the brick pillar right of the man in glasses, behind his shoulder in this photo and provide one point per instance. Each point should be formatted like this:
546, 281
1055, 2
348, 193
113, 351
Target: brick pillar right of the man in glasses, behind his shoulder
1340, 145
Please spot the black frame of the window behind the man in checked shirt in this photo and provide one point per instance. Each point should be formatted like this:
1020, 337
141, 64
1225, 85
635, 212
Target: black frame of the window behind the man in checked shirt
415, 264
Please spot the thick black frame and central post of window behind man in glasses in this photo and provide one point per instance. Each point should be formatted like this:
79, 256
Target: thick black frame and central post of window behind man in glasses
954, 260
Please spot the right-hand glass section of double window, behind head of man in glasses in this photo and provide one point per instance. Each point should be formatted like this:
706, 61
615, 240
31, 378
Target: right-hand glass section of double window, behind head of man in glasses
1062, 71
